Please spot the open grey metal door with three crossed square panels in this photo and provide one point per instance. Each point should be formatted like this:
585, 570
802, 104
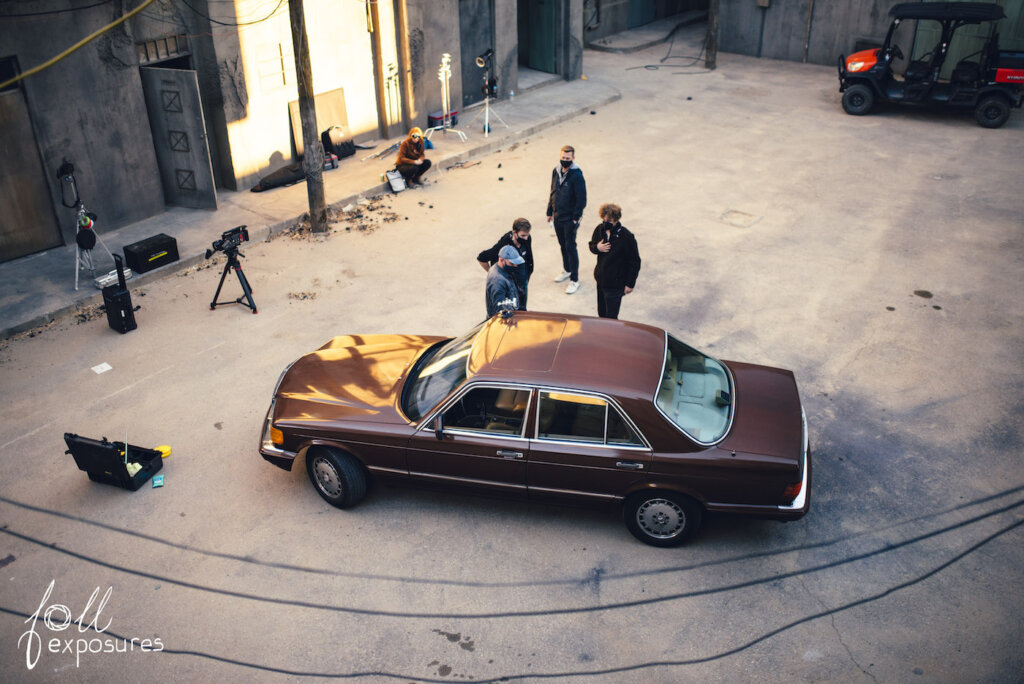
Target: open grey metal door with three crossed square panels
180, 137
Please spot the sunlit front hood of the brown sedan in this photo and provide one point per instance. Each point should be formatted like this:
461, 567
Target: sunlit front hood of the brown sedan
354, 377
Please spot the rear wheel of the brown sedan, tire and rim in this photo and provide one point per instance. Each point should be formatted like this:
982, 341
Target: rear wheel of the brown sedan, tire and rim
662, 519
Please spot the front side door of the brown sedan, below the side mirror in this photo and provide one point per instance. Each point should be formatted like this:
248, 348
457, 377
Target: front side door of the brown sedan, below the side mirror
480, 443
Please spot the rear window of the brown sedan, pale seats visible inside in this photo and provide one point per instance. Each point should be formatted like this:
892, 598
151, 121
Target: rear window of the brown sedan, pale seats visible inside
695, 393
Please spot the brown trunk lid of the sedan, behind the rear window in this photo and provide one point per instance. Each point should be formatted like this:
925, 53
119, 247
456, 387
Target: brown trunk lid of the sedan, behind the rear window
767, 418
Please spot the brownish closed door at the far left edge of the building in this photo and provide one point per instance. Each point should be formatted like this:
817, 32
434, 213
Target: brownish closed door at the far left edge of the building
27, 223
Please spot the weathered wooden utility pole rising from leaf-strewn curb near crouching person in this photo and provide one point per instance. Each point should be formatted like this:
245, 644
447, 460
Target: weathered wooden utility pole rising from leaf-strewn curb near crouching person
313, 157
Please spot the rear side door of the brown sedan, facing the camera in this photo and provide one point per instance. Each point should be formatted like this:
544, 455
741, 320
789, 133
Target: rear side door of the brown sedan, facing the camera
584, 448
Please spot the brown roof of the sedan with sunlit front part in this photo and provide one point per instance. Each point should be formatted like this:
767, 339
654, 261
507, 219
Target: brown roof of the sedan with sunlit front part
617, 358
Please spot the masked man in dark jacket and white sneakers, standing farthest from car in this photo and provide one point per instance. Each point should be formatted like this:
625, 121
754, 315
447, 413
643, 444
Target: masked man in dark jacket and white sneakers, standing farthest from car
566, 204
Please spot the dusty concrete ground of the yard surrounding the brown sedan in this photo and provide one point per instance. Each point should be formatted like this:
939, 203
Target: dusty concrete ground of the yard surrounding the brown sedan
878, 258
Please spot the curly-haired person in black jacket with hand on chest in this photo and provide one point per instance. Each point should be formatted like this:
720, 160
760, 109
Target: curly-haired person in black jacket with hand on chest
618, 262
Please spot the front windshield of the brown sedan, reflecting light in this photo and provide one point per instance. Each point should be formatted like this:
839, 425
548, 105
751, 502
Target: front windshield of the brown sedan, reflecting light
438, 373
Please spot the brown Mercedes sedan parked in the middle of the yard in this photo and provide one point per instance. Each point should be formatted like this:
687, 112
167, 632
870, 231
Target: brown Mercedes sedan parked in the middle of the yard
550, 407
